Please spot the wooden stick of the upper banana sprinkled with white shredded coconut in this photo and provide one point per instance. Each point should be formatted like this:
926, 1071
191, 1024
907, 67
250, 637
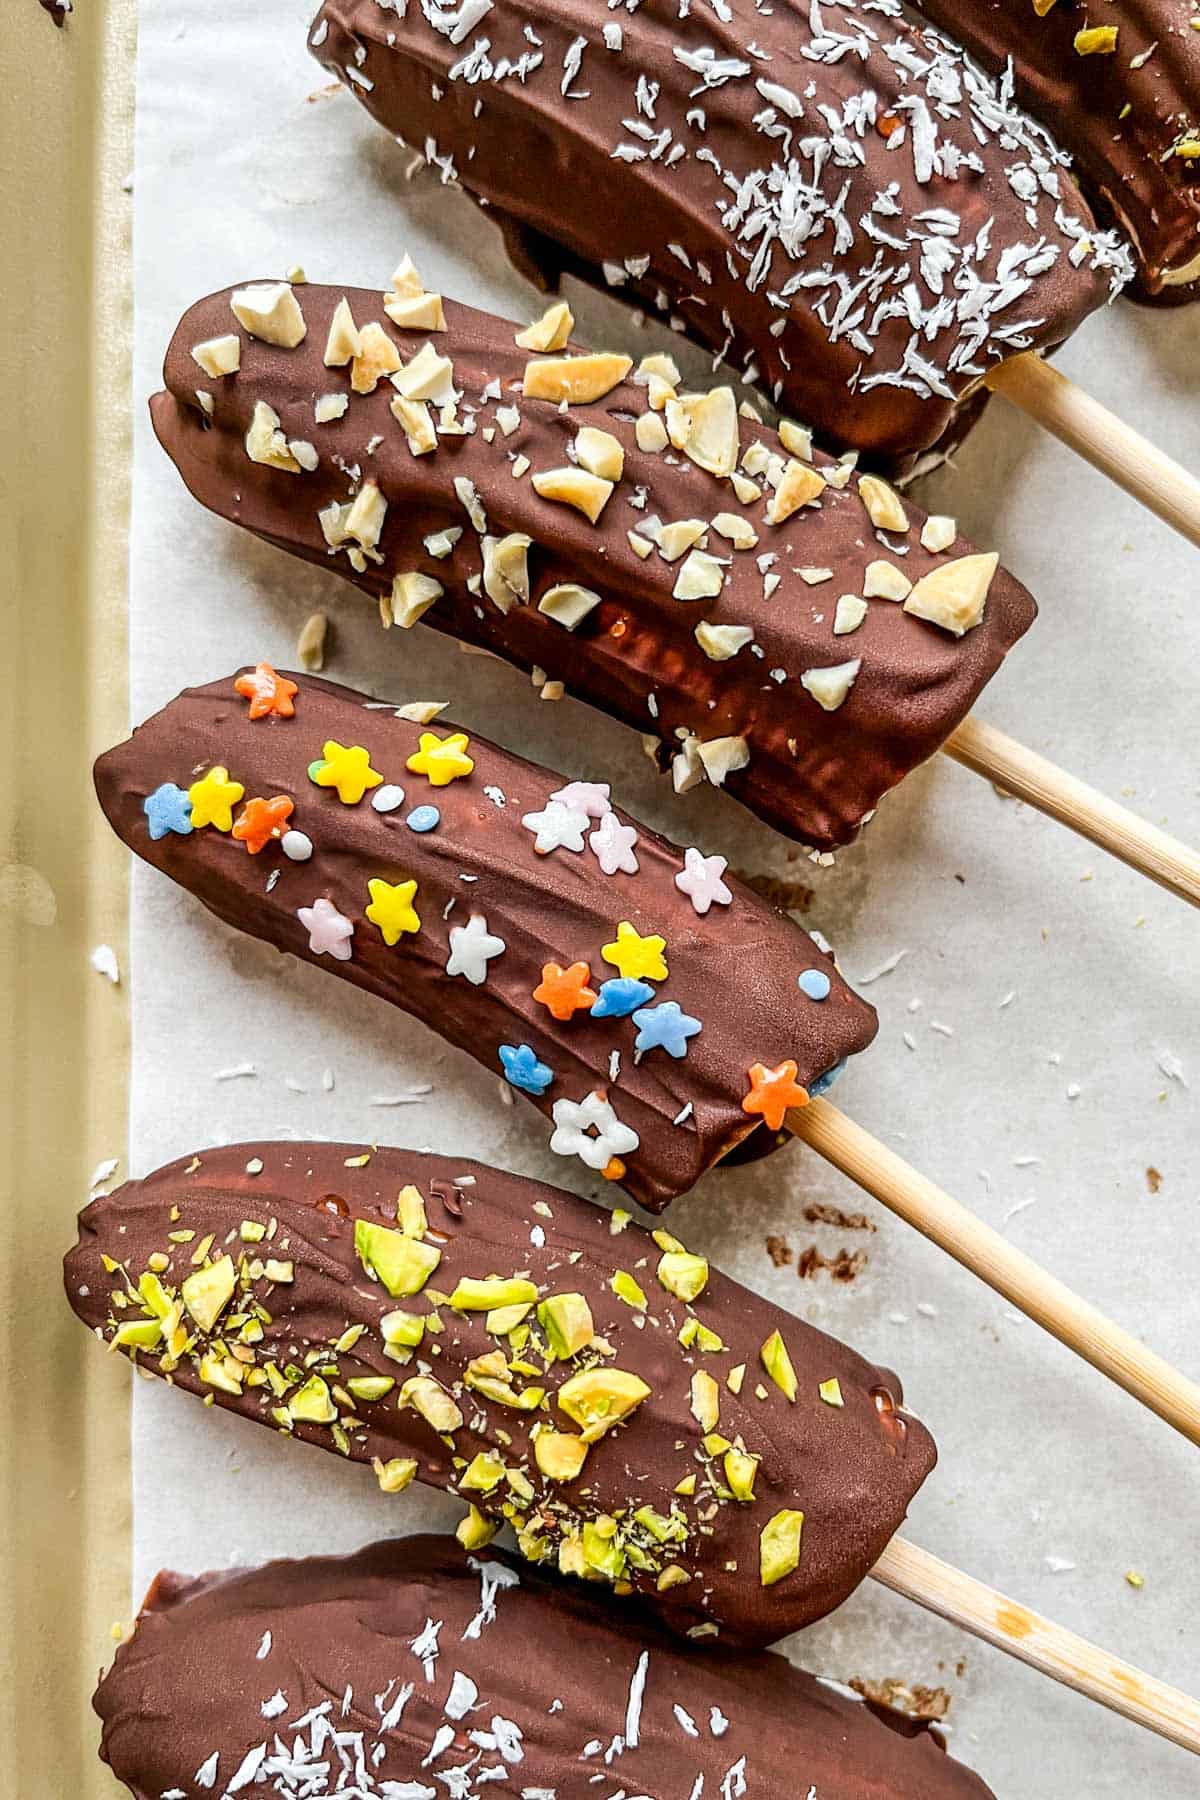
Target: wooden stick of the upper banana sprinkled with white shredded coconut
1102, 438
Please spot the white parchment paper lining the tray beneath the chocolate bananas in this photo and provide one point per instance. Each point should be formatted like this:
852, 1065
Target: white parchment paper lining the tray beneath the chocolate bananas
1037, 1039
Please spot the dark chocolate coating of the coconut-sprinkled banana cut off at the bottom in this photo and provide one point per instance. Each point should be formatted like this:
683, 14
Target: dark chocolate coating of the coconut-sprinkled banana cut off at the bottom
557, 1668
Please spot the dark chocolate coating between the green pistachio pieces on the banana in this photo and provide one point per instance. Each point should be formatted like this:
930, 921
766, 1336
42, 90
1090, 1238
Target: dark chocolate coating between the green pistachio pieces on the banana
852, 1470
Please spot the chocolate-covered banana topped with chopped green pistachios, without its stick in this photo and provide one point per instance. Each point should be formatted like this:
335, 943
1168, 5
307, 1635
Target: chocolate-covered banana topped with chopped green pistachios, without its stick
638, 1417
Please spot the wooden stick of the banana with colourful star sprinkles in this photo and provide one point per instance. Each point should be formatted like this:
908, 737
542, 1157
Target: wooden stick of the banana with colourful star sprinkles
998, 1263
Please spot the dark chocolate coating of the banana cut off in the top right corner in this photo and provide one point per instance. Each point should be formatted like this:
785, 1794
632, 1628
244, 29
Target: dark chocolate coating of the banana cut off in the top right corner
1120, 116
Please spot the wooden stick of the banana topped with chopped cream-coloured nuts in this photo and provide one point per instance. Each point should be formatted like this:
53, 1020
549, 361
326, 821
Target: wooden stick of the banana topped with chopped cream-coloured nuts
1107, 825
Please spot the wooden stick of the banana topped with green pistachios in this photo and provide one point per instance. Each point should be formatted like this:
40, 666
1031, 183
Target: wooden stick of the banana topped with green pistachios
1039, 1642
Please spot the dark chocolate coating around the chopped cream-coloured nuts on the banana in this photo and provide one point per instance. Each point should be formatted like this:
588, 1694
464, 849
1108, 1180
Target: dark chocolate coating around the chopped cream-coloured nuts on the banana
812, 773
